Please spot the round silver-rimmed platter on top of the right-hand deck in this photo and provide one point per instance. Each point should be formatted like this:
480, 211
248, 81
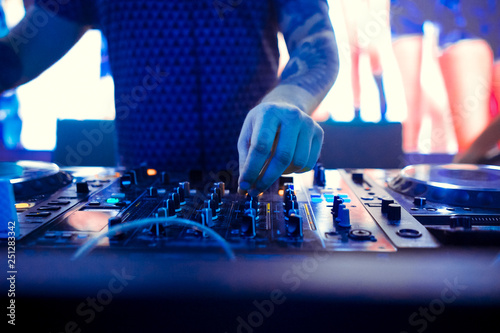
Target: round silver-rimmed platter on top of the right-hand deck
464, 185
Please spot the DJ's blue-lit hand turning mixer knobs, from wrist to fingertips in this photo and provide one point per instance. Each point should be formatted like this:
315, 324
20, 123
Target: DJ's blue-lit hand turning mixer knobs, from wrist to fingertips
276, 138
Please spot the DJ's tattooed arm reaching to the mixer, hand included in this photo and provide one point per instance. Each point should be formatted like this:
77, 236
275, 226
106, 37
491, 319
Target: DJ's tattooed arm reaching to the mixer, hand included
278, 135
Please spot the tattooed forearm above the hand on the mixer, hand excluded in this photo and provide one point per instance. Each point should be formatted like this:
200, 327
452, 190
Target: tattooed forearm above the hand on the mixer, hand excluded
313, 64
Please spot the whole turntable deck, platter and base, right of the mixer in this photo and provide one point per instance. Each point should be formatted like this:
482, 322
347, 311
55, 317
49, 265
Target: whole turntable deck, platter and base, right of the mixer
458, 203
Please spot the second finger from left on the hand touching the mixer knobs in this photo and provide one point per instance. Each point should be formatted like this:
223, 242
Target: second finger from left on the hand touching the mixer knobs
281, 158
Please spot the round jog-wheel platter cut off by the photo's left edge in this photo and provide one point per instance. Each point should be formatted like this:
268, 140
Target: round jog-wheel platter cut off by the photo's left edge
30, 178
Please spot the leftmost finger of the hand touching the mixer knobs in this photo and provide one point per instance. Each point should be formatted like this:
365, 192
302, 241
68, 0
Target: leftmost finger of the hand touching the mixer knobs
261, 144
